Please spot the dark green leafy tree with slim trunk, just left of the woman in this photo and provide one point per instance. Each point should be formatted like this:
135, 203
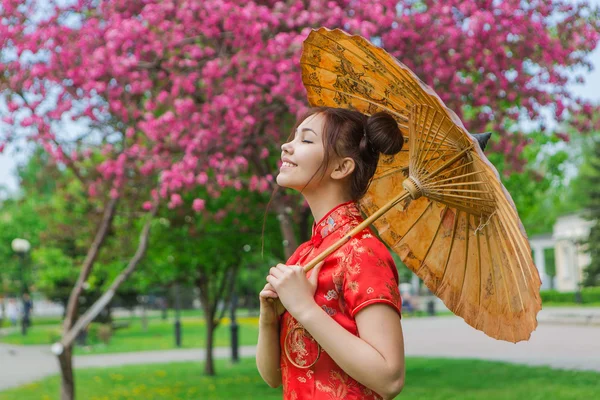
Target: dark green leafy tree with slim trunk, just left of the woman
207, 249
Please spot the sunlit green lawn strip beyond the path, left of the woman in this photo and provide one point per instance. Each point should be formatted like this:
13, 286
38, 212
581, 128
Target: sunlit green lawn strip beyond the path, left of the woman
159, 336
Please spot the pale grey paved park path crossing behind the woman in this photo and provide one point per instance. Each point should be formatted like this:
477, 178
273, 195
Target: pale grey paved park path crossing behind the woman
566, 338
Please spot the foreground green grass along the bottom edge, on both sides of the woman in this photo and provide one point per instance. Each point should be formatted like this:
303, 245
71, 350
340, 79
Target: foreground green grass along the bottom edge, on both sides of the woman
430, 379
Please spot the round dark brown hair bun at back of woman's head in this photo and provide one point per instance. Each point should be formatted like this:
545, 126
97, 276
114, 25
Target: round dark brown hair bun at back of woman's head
384, 134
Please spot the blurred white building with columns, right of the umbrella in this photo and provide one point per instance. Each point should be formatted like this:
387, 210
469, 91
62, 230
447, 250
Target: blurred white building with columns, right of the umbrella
569, 253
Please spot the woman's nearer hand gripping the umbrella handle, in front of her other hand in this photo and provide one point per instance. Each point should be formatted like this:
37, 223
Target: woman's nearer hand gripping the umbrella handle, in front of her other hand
295, 291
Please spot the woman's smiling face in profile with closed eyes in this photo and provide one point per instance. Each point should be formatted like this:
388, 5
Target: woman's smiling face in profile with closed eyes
303, 156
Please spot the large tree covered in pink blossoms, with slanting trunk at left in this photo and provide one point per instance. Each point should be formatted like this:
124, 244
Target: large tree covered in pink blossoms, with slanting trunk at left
201, 93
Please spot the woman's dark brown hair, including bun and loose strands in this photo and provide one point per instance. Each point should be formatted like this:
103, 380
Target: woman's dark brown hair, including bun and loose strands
348, 133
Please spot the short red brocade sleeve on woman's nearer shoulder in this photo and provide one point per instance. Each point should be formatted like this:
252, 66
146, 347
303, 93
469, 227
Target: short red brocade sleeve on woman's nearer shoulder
370, 277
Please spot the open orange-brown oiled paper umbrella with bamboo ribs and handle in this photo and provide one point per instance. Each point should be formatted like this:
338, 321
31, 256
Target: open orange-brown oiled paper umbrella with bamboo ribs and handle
439, 203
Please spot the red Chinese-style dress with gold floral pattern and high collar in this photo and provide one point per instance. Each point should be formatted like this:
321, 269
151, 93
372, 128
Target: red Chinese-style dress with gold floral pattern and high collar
360, 273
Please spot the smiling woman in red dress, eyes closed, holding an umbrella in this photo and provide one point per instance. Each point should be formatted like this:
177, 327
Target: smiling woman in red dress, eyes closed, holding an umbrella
339, 336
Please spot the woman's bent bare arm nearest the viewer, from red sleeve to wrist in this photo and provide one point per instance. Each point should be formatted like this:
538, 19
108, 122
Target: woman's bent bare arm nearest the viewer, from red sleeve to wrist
377, 356
